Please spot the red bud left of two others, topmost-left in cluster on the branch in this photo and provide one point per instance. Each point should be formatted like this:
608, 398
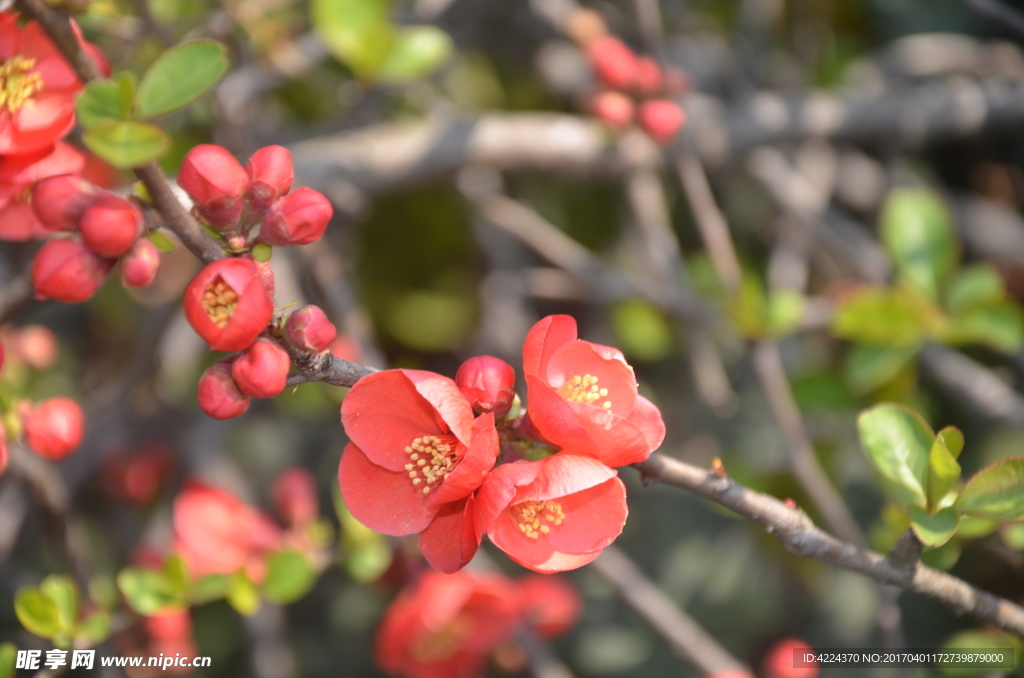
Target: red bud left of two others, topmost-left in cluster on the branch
217, 182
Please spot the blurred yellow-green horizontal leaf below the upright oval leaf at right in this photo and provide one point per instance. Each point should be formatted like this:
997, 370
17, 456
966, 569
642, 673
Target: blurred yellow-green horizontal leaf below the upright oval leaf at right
886, 317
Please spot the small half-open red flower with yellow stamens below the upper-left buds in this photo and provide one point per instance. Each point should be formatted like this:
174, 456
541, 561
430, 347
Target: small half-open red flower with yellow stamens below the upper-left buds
228, 305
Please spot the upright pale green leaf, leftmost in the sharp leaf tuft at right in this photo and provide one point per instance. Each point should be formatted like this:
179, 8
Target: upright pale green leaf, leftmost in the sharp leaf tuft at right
899, 442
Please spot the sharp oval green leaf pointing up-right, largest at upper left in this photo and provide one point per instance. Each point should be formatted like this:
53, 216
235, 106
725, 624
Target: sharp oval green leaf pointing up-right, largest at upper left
180, 76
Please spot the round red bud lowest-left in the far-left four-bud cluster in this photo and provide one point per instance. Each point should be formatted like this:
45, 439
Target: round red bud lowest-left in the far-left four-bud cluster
66, 271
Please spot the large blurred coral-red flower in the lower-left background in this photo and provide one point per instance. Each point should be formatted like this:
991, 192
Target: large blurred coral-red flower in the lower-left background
218, 534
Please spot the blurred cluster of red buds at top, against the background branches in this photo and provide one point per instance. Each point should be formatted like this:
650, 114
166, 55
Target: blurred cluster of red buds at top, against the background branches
634, 89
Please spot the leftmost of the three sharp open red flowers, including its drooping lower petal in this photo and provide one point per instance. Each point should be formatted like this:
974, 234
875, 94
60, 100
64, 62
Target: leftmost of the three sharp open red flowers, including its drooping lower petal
416, 456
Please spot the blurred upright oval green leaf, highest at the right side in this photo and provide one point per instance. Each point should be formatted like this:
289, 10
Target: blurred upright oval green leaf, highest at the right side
918, 231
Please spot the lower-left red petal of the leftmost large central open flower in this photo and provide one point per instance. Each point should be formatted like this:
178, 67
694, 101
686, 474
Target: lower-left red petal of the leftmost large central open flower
382, 500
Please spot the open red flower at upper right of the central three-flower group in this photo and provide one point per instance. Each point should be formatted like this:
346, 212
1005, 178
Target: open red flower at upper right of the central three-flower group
583, 397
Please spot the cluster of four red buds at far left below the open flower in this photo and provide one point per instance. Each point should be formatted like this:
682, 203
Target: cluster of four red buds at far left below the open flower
103, 229
